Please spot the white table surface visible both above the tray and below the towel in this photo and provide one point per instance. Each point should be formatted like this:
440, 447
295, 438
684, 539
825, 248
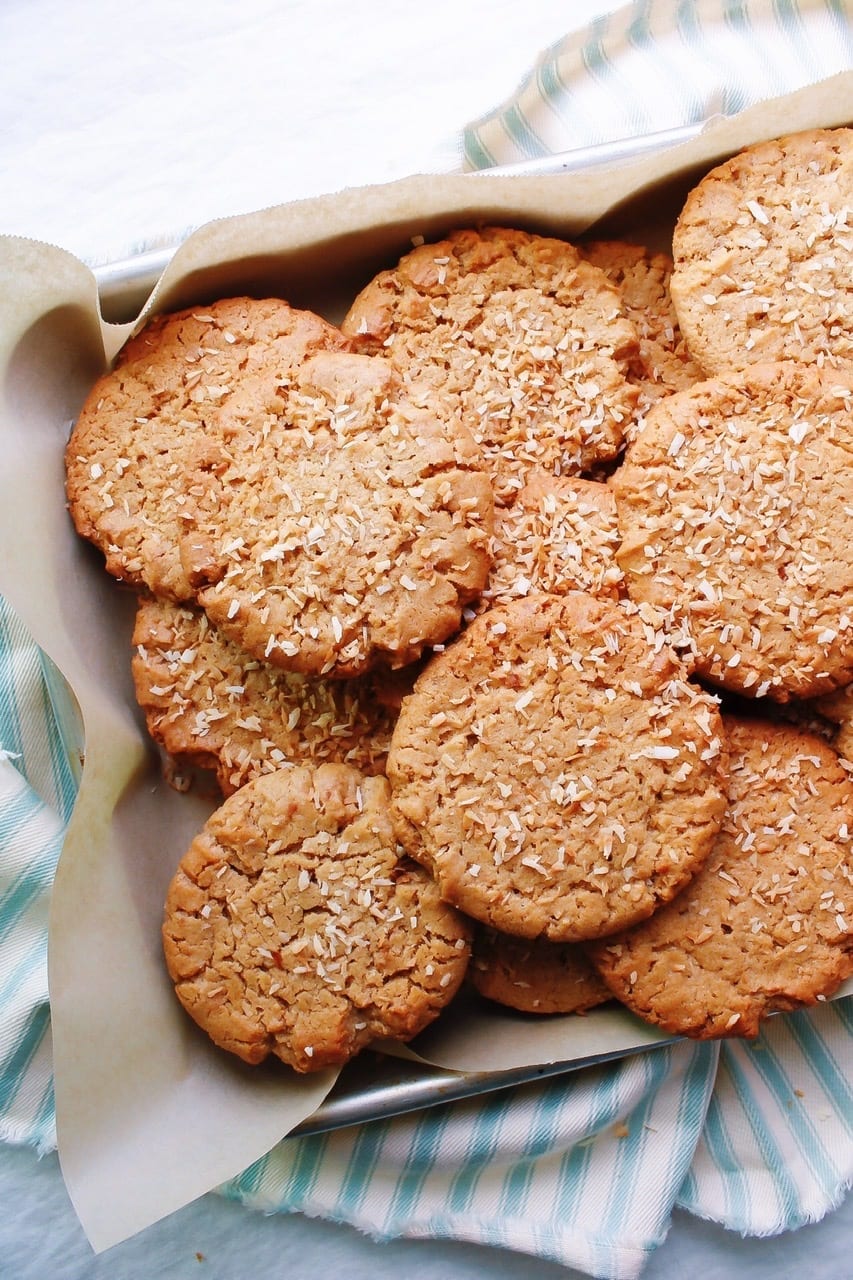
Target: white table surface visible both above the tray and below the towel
122, 127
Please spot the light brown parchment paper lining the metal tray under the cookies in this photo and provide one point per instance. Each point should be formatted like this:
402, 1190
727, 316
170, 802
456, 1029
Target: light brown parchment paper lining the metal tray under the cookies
150, 1116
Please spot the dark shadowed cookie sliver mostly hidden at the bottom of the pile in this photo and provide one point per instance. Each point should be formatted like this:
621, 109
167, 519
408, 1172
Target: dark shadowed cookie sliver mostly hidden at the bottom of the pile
533, 976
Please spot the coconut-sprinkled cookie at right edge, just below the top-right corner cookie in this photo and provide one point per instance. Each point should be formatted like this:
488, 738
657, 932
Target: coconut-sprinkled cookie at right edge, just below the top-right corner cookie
735, 506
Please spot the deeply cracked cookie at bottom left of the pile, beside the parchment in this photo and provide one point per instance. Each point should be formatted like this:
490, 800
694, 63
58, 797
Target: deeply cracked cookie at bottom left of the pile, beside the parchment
294, 929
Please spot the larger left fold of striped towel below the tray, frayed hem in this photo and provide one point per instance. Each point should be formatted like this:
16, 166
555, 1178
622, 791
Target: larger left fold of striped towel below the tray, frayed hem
582, 1171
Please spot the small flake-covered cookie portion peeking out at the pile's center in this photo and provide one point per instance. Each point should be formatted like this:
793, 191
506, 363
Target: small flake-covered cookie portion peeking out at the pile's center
559, 536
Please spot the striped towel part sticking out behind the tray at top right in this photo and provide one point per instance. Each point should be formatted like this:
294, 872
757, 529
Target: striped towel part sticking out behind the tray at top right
659, 66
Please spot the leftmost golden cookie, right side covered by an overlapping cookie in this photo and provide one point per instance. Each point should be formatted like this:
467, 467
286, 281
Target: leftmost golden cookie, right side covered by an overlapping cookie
154, 431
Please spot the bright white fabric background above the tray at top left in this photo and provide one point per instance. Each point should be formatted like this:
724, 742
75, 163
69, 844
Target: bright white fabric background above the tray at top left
129, 125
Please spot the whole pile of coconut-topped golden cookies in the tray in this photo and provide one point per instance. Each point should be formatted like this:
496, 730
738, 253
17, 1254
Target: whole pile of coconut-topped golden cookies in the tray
504, 616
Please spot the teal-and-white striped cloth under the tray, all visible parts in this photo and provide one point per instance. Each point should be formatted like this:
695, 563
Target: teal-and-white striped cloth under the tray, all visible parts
583, 1169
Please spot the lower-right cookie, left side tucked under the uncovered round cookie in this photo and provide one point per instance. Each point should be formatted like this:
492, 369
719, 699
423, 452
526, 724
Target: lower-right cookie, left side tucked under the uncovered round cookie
768, 924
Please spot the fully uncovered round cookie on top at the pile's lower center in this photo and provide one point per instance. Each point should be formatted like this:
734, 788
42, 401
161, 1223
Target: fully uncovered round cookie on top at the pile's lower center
555, 771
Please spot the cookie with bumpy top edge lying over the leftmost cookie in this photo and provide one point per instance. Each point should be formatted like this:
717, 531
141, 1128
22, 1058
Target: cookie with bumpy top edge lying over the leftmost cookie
350, 533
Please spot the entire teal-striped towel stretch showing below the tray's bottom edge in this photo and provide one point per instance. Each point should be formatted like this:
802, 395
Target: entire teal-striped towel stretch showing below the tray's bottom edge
586, 1169
